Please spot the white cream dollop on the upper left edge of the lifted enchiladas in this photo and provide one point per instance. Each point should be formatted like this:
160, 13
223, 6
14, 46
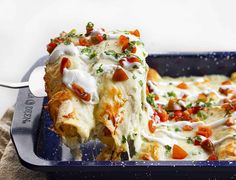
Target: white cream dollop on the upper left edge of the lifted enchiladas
62, 49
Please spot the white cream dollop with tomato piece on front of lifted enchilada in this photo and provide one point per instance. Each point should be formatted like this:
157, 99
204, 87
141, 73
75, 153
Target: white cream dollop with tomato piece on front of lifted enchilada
83, 79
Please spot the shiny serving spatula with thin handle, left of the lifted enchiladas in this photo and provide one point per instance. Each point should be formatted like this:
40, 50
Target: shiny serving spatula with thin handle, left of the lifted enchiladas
35, 83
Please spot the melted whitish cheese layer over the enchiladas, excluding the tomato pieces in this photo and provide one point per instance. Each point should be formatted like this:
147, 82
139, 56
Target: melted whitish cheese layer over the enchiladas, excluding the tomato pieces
119, 113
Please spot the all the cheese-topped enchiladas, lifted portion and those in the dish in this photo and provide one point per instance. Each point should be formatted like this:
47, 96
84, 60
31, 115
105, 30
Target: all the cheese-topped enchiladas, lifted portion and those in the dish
100, 87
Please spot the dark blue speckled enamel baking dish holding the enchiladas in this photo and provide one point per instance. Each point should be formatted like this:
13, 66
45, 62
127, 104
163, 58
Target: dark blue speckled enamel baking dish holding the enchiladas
40, 149
